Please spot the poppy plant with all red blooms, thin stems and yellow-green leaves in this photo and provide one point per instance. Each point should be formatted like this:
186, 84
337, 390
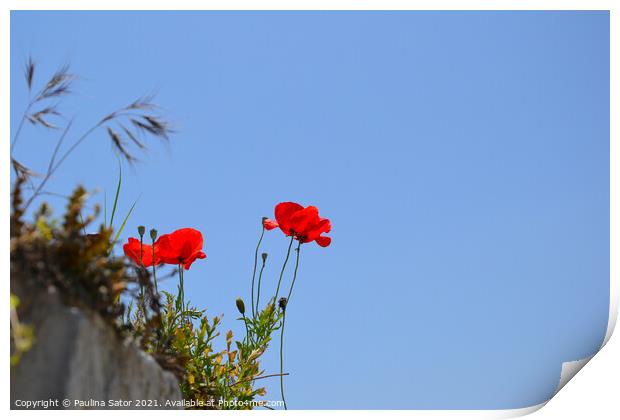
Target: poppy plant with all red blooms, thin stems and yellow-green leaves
228, 375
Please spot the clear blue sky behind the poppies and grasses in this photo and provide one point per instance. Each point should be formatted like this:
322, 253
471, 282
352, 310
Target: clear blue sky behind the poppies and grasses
462, 157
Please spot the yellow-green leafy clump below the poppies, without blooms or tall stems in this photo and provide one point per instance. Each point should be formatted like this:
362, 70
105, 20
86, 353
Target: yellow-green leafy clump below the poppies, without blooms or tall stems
221, 379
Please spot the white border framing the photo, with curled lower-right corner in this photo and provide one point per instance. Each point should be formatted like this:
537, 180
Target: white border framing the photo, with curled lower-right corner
569, 369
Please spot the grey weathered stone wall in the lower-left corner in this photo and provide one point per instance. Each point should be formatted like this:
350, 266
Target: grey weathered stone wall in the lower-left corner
76, 356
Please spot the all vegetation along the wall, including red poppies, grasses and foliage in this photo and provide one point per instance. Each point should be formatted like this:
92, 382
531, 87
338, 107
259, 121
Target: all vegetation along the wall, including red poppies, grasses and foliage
124, 290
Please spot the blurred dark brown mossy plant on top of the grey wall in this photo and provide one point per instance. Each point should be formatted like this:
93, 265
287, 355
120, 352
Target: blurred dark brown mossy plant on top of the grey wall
55, 253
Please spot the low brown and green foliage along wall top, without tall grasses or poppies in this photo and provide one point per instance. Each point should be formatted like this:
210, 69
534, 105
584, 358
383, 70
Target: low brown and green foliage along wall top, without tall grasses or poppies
55, 253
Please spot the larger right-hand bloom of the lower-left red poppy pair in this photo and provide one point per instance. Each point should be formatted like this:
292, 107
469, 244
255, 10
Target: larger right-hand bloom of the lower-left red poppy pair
182, 246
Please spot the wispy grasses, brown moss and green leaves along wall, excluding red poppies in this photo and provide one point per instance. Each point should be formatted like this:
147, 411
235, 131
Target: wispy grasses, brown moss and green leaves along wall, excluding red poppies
47, 252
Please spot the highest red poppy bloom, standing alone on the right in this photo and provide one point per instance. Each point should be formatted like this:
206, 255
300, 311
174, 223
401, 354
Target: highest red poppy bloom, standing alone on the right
304, 223
